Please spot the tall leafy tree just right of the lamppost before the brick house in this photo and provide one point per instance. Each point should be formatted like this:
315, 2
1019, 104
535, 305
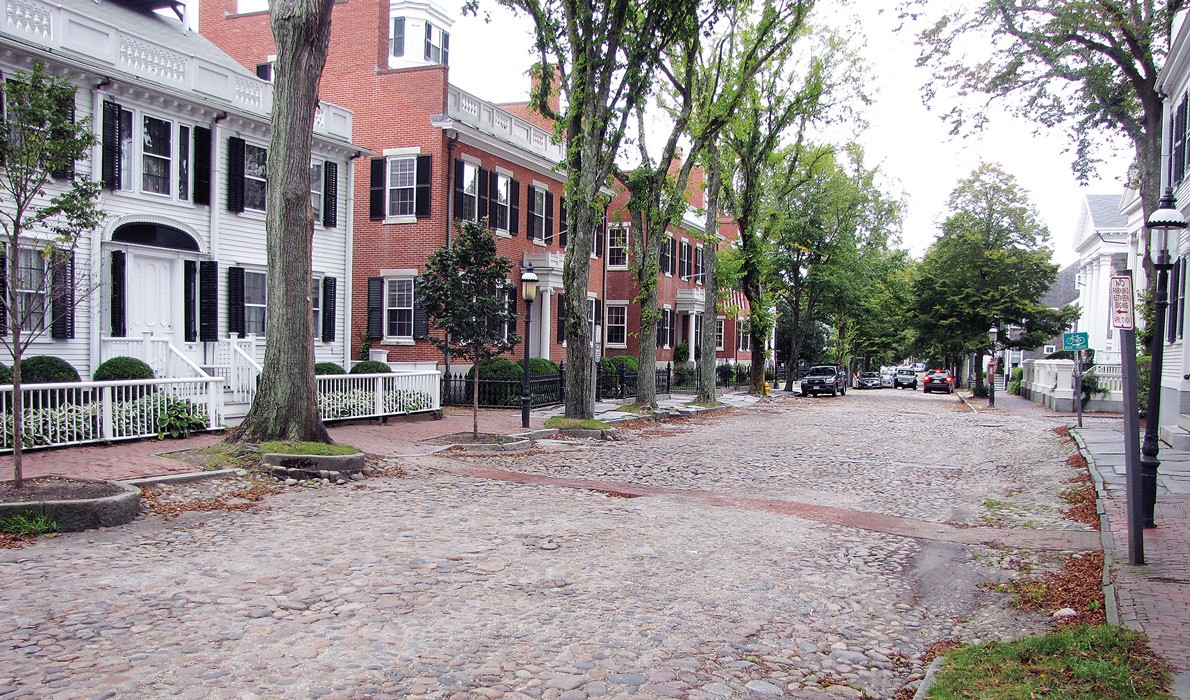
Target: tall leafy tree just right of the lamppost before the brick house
604, 57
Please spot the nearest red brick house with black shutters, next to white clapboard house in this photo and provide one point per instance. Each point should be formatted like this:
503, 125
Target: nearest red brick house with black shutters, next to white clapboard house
440, 155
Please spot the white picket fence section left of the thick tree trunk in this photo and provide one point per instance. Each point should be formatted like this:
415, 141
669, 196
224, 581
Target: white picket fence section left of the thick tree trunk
76, 414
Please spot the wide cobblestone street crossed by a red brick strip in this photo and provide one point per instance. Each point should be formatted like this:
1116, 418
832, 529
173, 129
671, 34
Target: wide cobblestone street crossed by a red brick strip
801, 548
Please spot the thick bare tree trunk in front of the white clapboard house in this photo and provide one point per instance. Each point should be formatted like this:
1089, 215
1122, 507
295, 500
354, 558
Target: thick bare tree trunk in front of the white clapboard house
286, 404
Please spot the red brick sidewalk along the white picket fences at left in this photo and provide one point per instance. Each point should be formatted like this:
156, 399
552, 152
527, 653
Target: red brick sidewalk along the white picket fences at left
133, 460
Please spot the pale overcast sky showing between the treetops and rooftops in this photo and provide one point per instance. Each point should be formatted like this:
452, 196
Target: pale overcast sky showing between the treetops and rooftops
909, 142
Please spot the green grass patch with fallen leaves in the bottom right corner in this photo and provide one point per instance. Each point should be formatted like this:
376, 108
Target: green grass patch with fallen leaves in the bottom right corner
1085, 662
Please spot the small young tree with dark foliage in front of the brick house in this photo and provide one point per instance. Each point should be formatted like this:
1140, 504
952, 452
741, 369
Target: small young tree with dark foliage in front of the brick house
467, 295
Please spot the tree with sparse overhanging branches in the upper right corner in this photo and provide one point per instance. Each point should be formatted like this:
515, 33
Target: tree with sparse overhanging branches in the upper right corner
1089, 66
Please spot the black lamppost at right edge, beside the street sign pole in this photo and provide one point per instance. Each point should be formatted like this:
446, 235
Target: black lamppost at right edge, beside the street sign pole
1166, 226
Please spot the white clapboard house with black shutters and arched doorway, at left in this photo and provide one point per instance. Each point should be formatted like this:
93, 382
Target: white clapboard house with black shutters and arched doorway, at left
179, 265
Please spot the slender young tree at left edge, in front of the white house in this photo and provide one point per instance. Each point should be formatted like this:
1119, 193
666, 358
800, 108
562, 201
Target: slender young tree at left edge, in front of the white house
46, 210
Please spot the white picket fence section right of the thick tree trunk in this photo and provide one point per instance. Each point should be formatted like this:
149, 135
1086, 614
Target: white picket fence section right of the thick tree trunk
342, 397
